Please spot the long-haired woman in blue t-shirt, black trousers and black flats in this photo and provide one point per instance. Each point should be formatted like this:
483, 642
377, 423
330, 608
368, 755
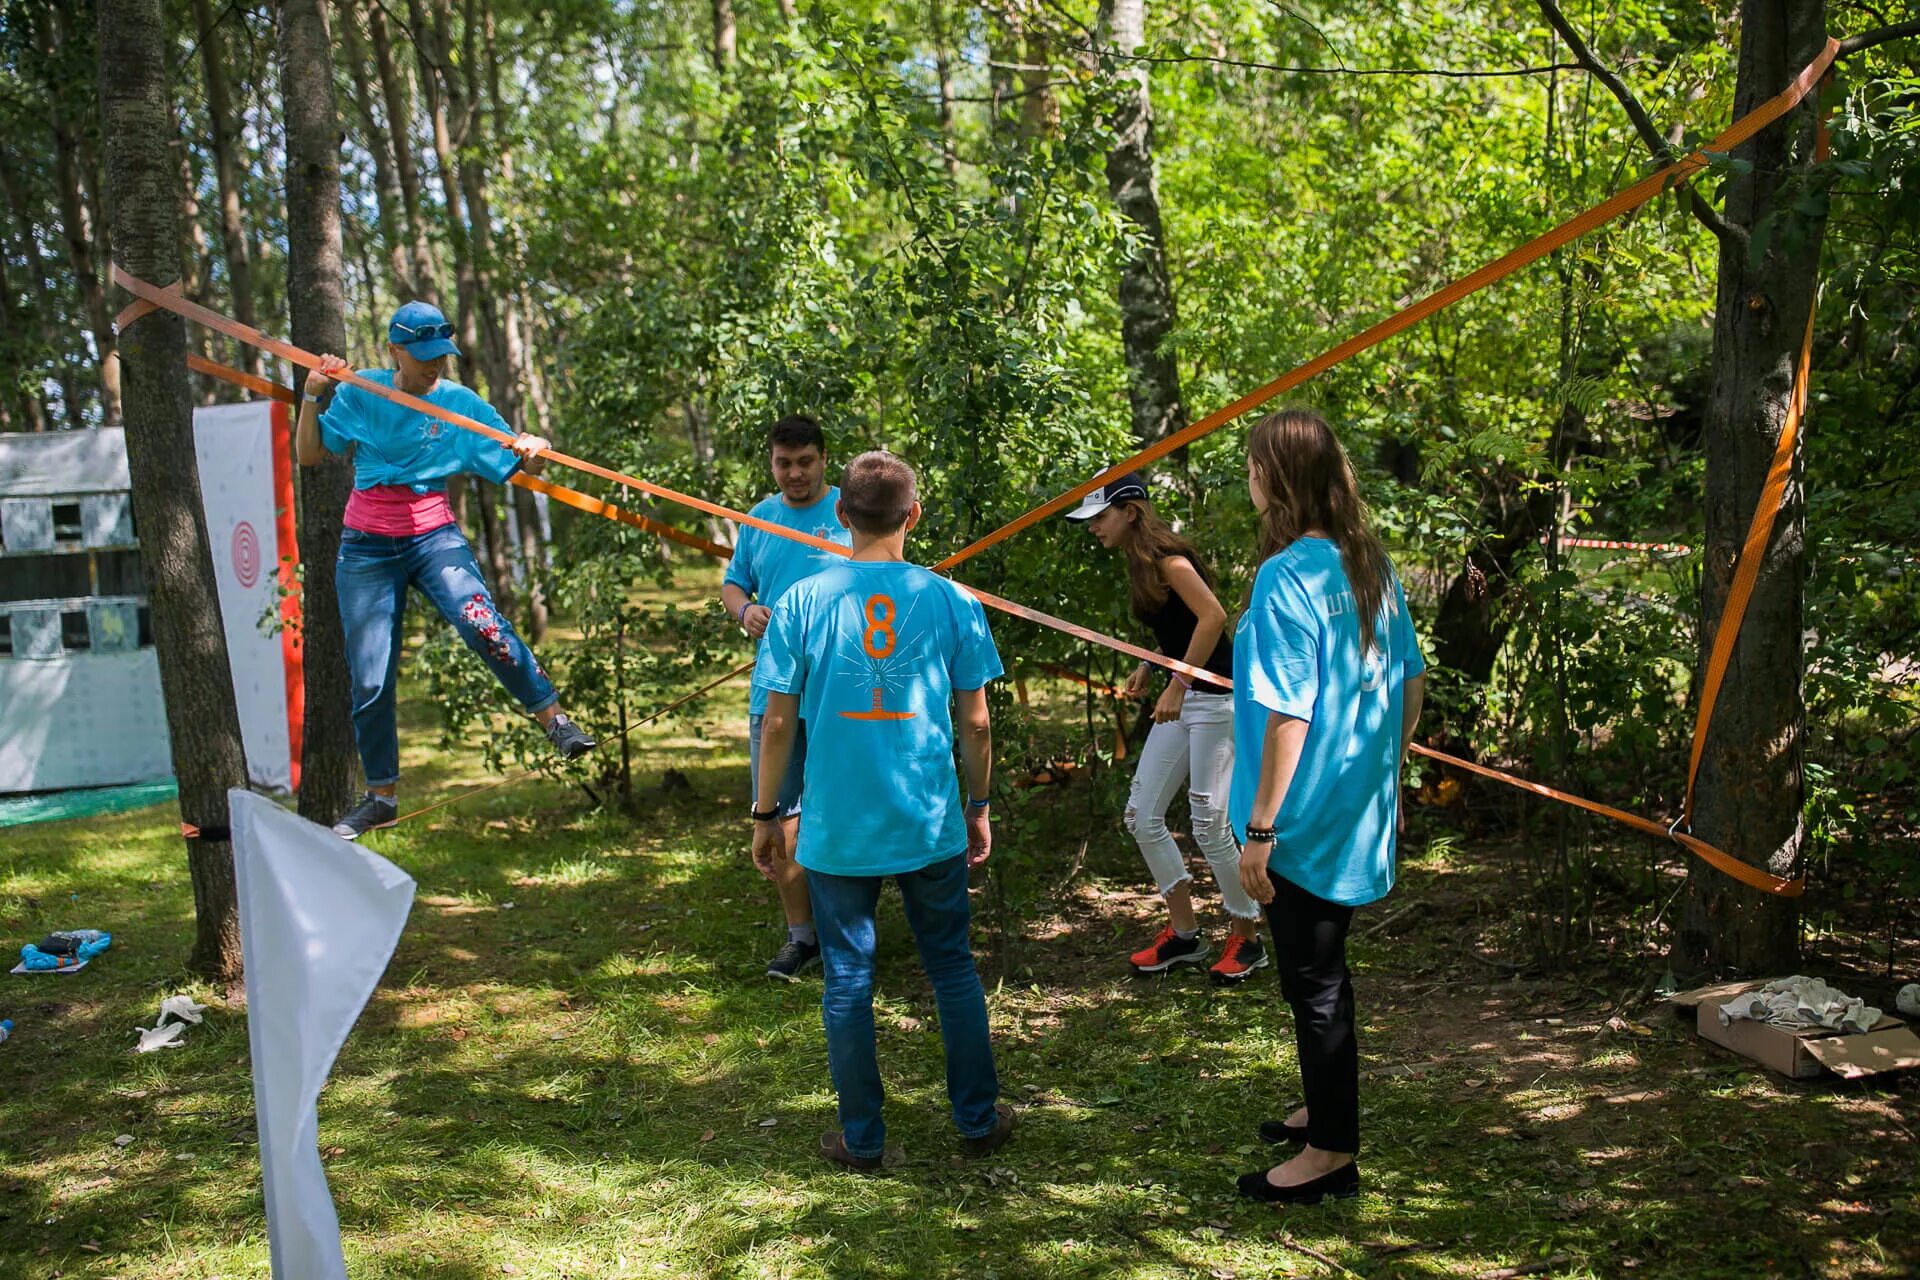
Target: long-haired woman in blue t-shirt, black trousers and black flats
1328, 684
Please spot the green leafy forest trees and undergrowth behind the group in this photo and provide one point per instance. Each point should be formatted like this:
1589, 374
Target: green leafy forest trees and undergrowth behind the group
1015, 243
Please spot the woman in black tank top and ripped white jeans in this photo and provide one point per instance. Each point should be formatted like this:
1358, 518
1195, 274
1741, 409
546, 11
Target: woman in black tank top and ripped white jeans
1191, 742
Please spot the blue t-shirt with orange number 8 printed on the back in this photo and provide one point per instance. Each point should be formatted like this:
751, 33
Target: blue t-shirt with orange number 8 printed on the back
875, 650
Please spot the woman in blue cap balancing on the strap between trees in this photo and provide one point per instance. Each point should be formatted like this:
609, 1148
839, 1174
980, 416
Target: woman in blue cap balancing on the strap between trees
400, 533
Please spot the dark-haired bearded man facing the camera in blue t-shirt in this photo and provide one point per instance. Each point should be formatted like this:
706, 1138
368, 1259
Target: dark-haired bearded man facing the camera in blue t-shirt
763, 569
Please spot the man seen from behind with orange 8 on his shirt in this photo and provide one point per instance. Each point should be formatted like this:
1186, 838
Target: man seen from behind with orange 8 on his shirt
875, 655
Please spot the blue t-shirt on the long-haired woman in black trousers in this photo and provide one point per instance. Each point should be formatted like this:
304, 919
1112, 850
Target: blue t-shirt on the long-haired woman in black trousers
1297, 653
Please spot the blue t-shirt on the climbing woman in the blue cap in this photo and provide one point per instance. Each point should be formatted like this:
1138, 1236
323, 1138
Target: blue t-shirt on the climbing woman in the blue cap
406, 446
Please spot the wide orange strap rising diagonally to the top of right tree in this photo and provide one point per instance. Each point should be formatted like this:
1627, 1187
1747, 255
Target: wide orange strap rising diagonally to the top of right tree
1531, 252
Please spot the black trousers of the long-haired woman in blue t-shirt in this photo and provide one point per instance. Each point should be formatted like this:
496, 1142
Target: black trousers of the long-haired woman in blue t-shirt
1310, 951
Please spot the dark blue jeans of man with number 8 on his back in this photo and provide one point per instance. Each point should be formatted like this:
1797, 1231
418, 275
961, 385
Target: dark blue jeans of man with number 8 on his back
940, 916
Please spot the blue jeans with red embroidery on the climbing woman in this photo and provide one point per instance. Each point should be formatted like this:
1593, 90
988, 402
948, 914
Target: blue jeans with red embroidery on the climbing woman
372, 577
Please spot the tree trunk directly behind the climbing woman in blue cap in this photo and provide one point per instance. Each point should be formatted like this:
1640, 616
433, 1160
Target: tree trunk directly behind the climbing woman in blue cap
316, 291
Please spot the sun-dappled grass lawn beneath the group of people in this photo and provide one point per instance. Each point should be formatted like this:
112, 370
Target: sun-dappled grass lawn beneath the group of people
575, 1068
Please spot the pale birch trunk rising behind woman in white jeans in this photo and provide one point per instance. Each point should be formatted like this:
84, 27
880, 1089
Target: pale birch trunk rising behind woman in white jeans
1145, 287
